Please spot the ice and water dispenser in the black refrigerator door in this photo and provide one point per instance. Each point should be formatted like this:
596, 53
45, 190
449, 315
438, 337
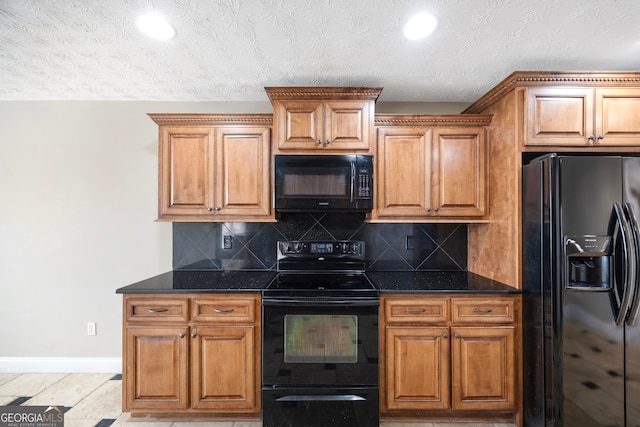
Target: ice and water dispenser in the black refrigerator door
587, 262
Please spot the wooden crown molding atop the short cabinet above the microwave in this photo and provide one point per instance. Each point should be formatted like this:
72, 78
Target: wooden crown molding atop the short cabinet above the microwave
303, 93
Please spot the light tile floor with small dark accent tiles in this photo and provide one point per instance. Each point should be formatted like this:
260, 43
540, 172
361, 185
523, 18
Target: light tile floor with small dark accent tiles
94, 400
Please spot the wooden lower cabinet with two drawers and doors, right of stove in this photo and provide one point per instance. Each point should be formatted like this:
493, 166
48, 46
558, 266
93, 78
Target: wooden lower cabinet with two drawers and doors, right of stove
448, 357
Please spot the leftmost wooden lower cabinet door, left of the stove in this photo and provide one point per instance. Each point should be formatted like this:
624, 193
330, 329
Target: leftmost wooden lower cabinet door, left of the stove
156, 368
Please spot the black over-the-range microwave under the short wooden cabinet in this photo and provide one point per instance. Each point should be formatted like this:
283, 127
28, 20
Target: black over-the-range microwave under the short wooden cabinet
317, 183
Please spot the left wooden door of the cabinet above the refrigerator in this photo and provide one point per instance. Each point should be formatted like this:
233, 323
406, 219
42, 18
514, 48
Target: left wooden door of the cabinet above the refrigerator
559, 116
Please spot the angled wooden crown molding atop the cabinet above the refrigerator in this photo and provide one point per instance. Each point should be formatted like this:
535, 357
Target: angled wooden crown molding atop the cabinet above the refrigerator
553, 78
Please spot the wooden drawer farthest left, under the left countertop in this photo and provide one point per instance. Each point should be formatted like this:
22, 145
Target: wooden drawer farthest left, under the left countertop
156, 310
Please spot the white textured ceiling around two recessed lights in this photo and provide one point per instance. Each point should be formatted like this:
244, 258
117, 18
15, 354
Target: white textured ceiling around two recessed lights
228, 50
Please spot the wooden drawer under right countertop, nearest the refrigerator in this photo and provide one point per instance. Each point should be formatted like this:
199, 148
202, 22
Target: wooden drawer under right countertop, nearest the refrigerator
483, 310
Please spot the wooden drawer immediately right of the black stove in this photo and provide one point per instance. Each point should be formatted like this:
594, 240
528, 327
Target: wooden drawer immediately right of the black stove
416, 310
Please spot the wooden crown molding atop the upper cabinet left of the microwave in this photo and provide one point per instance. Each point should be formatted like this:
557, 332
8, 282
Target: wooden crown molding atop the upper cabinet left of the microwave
212, 119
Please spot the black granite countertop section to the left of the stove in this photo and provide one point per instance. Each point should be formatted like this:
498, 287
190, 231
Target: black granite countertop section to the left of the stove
201, 281
